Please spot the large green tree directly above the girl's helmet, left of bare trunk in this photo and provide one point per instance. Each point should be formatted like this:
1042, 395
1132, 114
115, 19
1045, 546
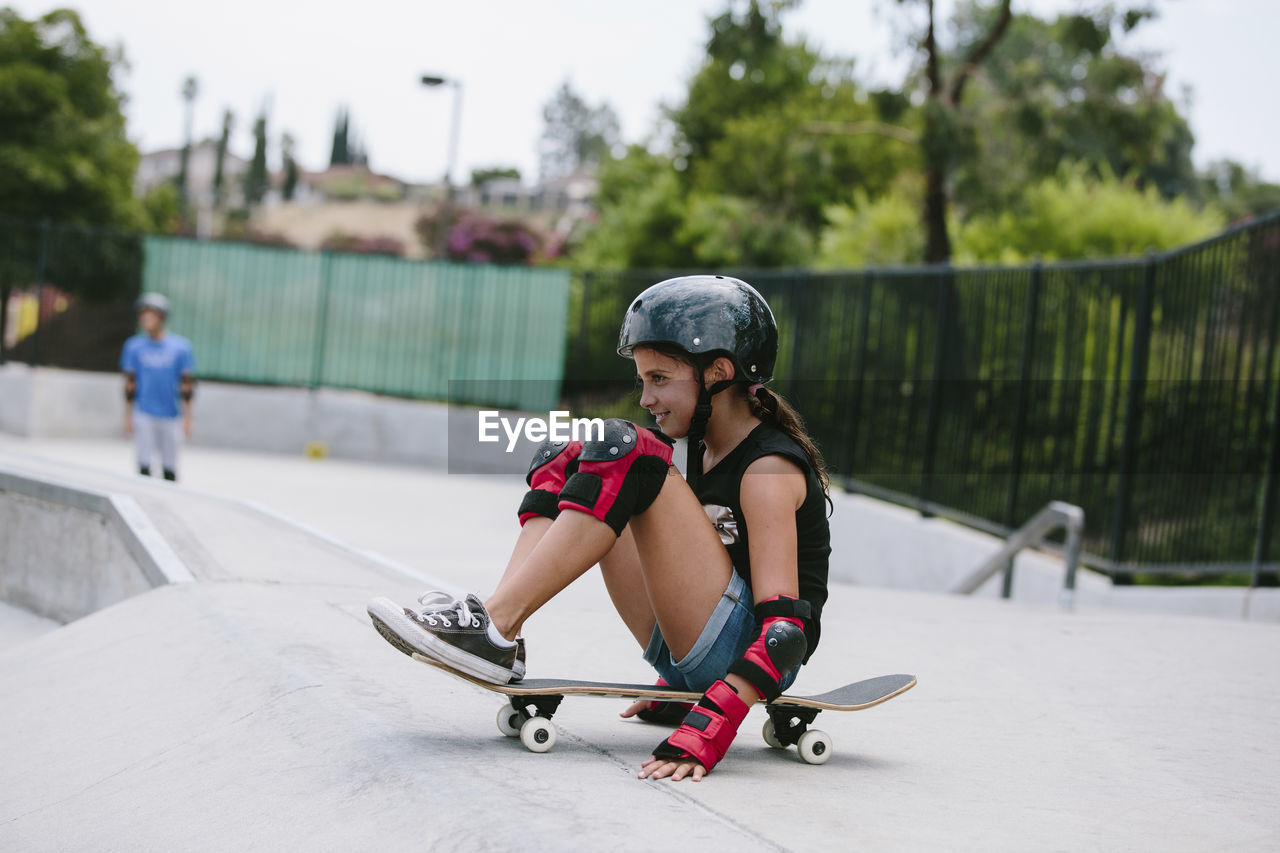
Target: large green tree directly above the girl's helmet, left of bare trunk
769, 138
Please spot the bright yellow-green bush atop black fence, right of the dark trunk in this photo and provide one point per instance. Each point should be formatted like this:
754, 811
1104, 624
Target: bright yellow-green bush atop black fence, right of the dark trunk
1077, 216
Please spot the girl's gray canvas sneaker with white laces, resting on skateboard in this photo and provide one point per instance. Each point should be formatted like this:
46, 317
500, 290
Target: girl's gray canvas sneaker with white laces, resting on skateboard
451, 631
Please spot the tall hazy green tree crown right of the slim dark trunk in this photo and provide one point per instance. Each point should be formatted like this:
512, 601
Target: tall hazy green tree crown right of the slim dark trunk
1064, 90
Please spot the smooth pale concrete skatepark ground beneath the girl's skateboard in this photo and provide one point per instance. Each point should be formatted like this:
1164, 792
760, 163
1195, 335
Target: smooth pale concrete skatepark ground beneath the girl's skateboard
255, 709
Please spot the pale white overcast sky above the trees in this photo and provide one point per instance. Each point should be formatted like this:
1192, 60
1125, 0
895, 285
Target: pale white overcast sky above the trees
510, 58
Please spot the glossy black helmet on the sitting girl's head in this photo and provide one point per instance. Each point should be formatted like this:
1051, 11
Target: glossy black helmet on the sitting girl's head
706, 314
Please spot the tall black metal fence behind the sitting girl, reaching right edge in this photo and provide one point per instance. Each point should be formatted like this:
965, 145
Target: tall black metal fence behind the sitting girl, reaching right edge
1148, 391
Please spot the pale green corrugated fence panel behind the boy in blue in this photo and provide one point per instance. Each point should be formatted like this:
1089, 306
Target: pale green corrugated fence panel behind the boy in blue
378, 325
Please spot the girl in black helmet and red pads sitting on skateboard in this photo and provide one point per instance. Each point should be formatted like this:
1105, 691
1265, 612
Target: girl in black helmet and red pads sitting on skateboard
721, 580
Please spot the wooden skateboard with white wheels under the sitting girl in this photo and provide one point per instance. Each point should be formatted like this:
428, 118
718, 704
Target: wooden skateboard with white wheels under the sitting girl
533, 703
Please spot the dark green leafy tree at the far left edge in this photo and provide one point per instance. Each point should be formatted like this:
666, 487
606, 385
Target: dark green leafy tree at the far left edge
65, 153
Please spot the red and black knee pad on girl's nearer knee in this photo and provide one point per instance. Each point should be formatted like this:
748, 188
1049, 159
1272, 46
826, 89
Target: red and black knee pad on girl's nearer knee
619, 476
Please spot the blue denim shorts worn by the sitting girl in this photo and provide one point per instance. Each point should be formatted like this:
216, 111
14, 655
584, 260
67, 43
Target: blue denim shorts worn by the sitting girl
725, 638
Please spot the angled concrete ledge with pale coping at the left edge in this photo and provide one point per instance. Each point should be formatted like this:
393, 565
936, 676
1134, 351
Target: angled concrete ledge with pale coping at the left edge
72, 551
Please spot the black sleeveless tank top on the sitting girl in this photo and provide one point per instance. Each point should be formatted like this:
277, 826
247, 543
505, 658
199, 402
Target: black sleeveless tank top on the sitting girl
719, 491
